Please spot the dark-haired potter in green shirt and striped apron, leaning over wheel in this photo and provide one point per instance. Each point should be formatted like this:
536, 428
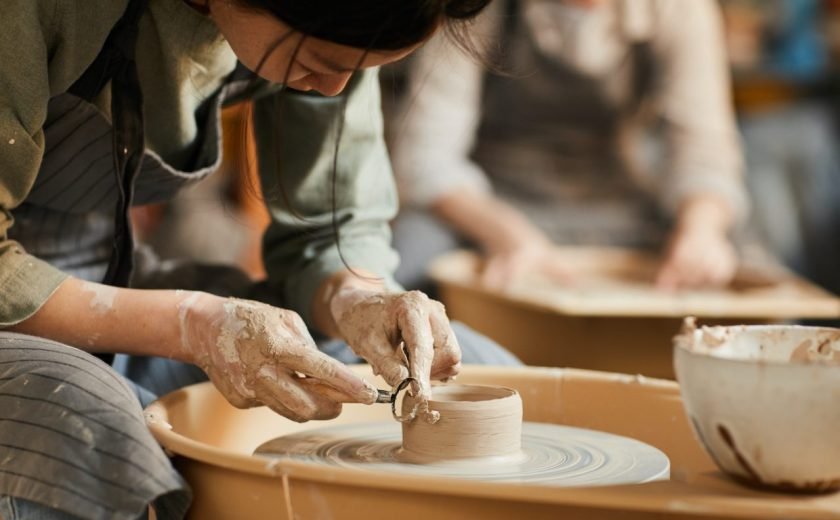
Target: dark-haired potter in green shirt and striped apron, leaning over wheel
107, 105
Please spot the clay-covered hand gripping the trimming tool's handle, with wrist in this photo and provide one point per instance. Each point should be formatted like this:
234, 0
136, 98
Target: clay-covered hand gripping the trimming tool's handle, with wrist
257, 354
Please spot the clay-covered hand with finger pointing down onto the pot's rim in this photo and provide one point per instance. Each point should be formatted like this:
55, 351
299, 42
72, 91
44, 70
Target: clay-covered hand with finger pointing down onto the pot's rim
399, 334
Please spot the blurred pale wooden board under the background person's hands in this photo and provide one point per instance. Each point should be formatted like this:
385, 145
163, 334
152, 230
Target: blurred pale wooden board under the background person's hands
618, 282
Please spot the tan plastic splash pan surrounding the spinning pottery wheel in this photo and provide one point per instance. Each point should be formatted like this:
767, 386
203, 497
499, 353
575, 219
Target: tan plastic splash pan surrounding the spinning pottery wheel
213, 444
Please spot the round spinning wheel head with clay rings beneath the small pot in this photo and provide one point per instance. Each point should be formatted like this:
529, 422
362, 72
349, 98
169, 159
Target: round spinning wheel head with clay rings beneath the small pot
551, 455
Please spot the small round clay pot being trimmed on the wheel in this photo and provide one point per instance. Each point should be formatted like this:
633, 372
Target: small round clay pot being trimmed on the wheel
475, 421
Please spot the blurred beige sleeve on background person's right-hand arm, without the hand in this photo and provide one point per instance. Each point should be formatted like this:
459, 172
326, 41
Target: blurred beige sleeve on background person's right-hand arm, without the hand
704, 146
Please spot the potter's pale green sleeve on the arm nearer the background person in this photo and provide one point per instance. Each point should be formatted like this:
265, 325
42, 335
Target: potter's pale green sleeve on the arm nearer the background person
296, 136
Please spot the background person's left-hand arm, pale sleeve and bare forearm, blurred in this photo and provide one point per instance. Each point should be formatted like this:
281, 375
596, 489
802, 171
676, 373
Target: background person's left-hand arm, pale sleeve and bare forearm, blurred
435, 133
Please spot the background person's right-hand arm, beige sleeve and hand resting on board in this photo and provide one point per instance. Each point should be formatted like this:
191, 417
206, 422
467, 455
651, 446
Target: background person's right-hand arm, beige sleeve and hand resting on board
704, 187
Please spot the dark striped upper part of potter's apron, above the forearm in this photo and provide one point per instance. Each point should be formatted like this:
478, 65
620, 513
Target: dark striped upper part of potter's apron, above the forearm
68, 217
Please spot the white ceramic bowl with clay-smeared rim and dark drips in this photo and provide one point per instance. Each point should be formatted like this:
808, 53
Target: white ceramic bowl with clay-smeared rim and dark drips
765, 401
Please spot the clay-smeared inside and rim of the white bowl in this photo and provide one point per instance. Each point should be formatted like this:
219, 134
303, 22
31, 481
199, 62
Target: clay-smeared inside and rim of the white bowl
763, 343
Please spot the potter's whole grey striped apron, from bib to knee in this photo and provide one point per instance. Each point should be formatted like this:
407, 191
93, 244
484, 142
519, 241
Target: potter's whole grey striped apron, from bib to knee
73, 442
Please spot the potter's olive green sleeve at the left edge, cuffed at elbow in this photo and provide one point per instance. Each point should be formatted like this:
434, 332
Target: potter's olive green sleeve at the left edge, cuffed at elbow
44, 47
